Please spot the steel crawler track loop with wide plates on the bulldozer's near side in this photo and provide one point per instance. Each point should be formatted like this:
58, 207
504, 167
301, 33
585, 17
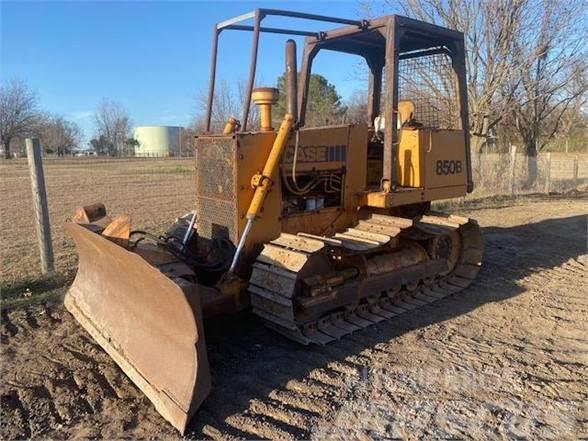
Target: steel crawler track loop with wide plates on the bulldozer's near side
273, 282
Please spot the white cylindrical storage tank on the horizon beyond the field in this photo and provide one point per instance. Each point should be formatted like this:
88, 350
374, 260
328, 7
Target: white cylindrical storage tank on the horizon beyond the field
158, 141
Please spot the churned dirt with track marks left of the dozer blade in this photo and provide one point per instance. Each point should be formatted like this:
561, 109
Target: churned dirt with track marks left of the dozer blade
63, 381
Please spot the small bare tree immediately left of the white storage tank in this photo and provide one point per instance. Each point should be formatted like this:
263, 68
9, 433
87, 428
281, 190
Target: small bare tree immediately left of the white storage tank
113, 127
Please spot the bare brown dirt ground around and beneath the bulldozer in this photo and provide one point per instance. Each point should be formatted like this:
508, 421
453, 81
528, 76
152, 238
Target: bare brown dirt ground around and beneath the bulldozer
506, 358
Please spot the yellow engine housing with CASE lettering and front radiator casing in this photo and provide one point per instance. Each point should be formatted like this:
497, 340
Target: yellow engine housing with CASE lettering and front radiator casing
225, 165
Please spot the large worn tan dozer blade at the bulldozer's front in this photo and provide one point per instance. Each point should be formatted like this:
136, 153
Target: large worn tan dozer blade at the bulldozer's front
150, 323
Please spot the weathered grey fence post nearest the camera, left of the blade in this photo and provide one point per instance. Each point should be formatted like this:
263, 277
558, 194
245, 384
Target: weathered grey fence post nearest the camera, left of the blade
40, 204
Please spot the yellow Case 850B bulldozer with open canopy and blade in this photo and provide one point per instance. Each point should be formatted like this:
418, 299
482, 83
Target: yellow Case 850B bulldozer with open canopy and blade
319, 231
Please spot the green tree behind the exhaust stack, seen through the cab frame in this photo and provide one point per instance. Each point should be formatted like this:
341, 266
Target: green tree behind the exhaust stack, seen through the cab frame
324, 105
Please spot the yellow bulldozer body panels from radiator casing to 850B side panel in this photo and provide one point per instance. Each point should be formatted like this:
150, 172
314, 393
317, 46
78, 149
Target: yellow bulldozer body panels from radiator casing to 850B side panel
431, 166
